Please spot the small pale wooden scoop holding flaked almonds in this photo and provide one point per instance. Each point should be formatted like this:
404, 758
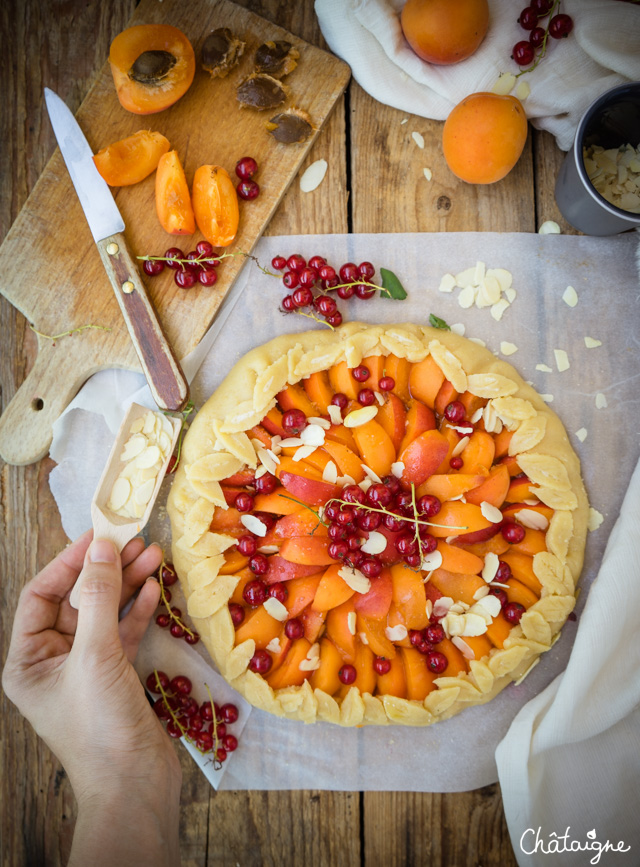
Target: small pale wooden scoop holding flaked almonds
106, 523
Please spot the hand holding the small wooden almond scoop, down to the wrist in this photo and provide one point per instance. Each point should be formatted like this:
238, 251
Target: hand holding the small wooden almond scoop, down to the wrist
70, 673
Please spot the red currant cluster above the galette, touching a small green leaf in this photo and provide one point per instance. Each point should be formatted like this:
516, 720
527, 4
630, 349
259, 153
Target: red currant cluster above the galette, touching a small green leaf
301, 278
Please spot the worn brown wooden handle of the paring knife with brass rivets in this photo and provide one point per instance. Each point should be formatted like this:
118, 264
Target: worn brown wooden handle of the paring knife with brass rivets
166, 380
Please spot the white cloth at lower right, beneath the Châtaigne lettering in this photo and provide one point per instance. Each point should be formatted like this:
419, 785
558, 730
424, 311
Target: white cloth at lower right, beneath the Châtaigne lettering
571, 758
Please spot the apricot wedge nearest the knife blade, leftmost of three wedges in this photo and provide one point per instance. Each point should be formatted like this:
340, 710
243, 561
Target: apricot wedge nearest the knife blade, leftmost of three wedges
131, 159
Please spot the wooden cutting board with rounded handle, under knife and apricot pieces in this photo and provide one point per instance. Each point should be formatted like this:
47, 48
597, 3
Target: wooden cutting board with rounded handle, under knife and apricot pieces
49, 265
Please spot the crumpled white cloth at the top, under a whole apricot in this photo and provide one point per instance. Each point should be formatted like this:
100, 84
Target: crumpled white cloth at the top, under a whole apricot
602, 52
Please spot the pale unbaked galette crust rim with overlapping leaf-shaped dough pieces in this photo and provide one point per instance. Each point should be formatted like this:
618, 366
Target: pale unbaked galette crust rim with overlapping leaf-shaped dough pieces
217, 446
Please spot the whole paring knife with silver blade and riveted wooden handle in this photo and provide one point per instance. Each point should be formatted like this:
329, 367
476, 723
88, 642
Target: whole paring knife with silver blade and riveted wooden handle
166, 380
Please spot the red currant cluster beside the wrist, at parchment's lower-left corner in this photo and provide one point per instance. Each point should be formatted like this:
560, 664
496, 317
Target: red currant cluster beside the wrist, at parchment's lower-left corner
204, 725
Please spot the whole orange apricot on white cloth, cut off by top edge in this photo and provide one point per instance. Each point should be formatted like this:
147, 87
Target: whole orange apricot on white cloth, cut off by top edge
445, 31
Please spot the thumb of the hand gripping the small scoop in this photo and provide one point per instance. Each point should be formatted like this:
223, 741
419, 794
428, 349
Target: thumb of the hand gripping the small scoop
100, 588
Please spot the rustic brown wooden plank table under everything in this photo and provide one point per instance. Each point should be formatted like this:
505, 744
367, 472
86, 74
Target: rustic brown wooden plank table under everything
374, 186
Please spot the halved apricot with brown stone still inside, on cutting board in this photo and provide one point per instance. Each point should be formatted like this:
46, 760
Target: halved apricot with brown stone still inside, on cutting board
152, 66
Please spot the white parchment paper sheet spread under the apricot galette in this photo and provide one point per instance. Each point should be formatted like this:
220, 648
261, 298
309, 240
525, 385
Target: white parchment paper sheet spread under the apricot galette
457, 755
